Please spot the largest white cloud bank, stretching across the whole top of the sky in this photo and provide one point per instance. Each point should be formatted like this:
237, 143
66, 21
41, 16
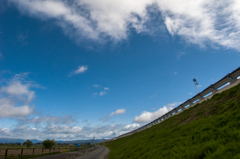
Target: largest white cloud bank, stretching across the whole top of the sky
213, 22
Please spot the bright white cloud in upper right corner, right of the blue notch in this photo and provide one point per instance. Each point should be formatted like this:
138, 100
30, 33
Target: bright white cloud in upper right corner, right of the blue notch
203, 21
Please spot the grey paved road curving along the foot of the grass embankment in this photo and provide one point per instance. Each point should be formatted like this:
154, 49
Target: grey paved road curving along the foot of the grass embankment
101, 153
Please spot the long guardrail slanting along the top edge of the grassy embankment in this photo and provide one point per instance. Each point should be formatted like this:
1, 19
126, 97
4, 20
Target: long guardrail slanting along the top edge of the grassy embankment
230, 80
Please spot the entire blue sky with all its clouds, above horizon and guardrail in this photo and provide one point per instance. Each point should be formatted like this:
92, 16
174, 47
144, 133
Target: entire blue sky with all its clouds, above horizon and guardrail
74, 70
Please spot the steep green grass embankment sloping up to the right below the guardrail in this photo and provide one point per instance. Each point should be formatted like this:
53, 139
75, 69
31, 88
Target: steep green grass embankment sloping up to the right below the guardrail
208, 130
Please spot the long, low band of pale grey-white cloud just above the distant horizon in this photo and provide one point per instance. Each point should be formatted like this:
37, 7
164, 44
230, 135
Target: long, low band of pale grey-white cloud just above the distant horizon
60, 132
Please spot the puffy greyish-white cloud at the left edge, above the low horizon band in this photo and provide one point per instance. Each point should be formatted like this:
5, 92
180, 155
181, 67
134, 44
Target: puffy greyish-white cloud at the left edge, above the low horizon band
16, 96
